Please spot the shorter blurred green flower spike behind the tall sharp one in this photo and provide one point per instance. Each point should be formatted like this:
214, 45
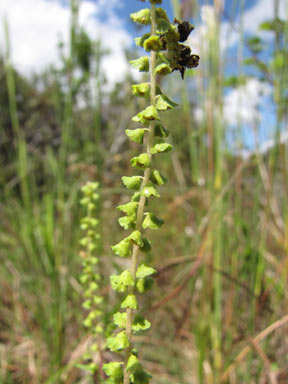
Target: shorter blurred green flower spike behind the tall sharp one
90, 277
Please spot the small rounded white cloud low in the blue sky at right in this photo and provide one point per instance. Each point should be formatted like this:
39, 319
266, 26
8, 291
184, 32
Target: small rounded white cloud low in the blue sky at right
241, 104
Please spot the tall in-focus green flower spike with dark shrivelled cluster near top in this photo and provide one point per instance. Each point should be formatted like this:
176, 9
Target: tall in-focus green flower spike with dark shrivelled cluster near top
167, 54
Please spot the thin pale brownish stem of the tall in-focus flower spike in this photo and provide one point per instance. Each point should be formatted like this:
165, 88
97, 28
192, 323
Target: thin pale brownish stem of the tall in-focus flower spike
142, 201
